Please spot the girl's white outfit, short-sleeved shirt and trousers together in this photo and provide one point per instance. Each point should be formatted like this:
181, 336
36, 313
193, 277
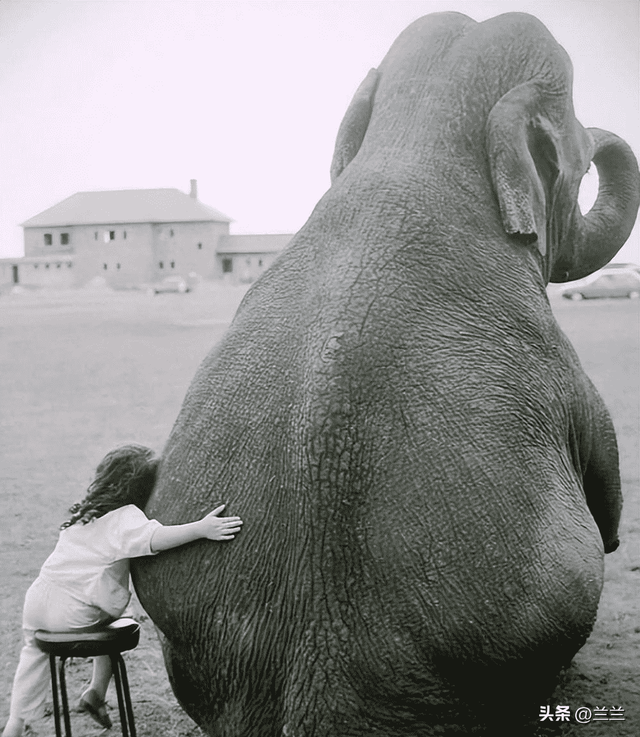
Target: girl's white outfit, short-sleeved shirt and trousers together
83, 583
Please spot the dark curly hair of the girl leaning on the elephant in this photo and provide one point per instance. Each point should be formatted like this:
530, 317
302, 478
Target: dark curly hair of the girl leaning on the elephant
126, 475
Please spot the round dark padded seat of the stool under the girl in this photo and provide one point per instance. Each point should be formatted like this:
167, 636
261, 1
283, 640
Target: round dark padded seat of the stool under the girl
117, 637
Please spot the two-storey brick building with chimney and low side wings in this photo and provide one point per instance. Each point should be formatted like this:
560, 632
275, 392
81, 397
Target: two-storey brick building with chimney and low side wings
133, 237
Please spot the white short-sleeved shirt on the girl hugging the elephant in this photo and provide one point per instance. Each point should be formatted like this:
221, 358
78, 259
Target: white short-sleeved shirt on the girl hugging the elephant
91, 562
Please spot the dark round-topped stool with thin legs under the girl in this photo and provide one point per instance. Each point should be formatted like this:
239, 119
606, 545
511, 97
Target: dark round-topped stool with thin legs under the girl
111, 640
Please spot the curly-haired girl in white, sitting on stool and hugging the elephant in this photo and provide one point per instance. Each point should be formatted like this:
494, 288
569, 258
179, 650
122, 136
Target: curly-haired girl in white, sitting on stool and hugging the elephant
84, 583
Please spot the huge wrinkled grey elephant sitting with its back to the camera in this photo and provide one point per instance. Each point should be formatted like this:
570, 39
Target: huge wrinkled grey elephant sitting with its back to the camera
427, 477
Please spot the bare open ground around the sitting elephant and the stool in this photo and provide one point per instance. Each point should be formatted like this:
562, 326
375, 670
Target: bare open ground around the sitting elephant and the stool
83, 371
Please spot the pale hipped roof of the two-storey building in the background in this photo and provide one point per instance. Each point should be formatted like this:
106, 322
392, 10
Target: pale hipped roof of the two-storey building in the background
126, 206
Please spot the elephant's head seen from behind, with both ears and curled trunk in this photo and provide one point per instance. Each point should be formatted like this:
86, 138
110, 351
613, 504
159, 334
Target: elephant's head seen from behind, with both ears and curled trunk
504, 88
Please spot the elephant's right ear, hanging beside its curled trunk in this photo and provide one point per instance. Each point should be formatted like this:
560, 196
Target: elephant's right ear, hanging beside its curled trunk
524, 163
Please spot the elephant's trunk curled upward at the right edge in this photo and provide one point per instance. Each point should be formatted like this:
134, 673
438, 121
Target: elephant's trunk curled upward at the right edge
598, 236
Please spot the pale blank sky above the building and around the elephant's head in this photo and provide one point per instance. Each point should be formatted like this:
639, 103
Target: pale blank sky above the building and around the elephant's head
245, 97
